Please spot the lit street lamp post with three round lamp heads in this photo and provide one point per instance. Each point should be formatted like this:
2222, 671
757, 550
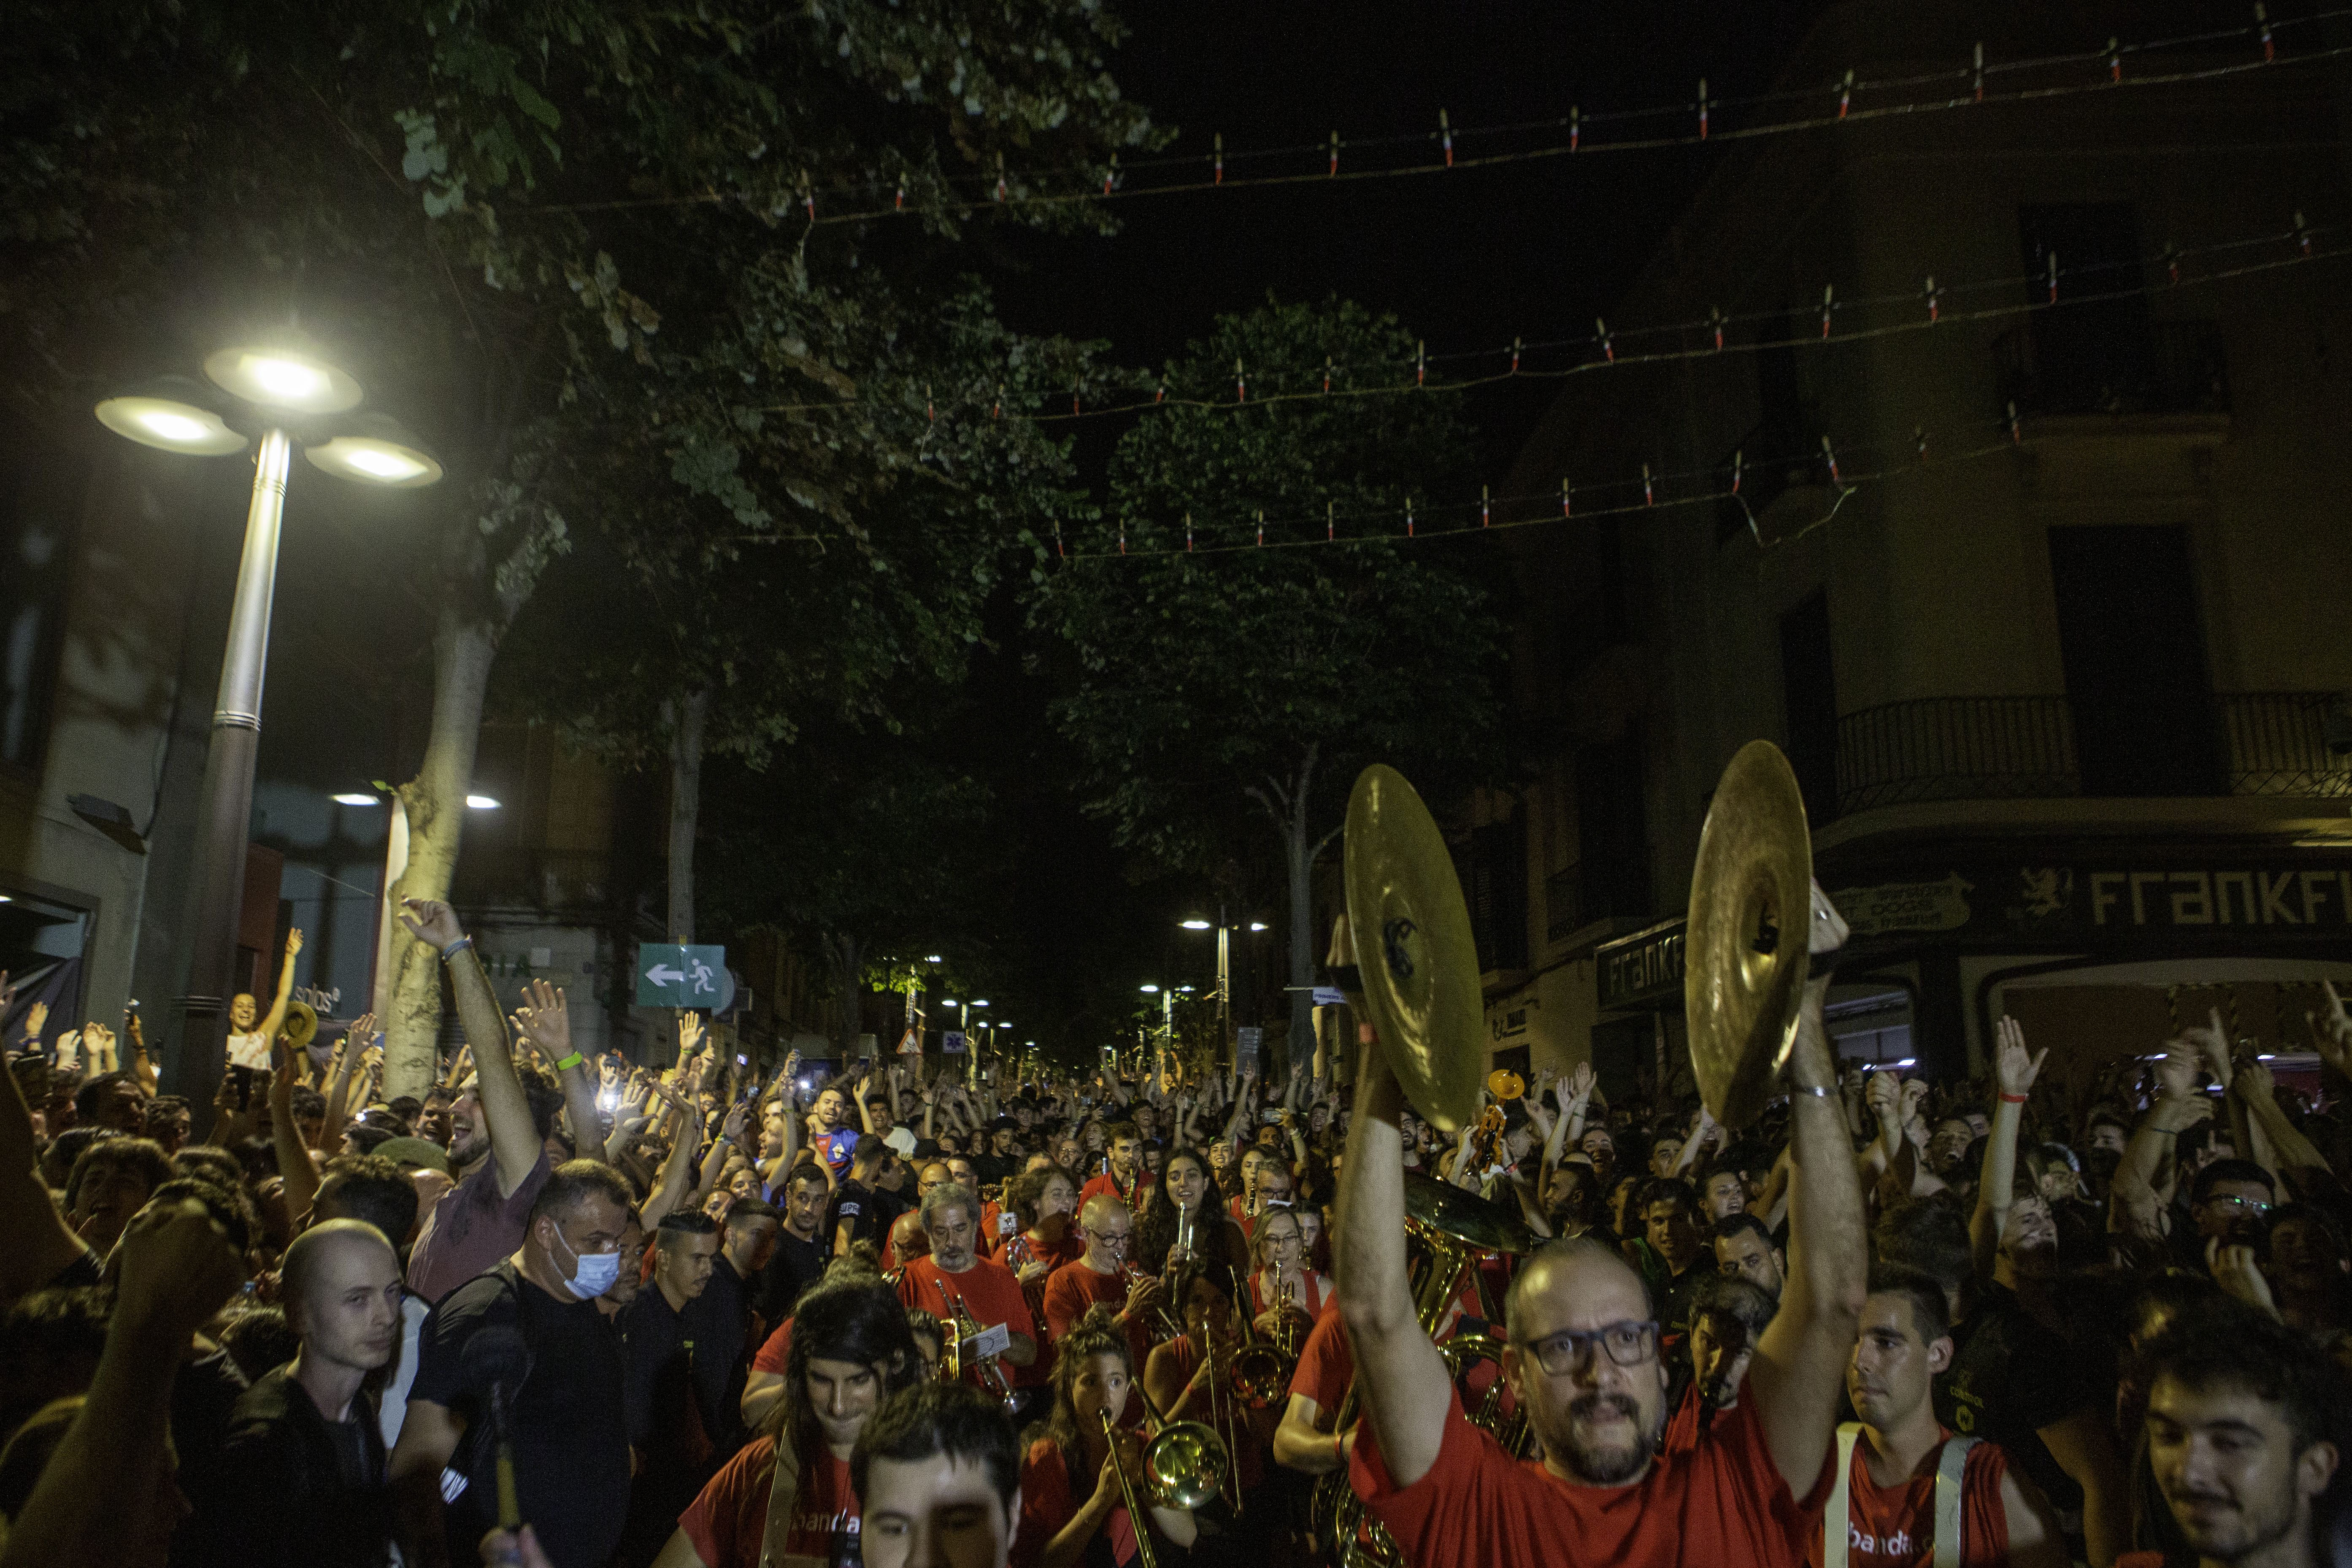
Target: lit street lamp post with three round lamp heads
276, 396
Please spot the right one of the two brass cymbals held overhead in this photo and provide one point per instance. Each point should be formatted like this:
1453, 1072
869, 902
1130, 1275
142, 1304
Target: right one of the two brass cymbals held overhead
1749, 932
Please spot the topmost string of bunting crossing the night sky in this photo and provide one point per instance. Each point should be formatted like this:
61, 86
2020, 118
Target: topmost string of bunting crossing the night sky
1577, 133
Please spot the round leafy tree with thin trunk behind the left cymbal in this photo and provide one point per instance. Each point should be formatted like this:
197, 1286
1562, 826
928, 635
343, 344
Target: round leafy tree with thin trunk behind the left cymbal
1217, 685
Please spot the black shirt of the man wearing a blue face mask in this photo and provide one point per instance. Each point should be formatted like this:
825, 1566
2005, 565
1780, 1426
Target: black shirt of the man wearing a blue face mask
568, 1416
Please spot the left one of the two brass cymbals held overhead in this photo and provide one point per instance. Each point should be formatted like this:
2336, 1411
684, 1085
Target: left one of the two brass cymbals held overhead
1415, 951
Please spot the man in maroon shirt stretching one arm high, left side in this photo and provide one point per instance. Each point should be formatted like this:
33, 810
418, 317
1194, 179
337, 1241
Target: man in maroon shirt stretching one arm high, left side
497, 1127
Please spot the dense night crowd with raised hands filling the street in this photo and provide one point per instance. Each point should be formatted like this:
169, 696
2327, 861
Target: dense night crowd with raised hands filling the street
695, 1315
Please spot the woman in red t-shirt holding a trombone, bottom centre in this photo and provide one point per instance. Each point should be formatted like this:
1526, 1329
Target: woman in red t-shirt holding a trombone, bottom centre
1060, 1527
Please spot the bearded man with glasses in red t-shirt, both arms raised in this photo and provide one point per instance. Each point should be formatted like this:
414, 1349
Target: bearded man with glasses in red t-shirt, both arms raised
1584, 1365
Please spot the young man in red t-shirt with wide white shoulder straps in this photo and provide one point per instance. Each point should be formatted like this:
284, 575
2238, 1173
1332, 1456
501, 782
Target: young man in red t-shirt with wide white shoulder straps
1899, 1459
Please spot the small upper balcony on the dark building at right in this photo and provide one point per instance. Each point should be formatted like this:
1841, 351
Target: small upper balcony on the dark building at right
2054, 368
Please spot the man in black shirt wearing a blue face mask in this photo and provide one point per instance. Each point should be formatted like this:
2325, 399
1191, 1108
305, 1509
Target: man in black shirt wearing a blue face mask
568, 1416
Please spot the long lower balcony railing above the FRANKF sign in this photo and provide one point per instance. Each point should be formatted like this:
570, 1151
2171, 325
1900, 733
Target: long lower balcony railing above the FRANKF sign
2052, 746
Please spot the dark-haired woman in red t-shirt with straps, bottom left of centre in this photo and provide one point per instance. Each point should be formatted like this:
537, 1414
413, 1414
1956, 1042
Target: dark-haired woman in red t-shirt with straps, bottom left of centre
850, 1353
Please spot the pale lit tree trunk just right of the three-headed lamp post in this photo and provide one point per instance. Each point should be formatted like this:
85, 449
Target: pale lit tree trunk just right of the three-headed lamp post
436, 805
